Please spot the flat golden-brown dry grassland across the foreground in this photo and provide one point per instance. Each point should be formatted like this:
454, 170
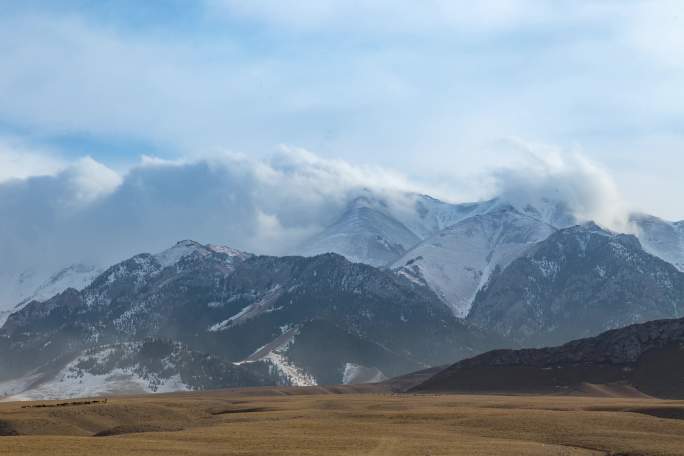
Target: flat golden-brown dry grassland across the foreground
315, 422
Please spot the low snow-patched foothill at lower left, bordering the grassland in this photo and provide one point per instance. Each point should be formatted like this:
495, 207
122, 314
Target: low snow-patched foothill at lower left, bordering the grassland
147, 366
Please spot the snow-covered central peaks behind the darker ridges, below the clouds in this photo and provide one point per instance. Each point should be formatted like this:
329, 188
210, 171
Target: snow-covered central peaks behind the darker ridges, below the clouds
451, 248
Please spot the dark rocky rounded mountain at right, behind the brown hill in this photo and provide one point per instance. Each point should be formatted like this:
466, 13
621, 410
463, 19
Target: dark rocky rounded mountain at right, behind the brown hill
580, 281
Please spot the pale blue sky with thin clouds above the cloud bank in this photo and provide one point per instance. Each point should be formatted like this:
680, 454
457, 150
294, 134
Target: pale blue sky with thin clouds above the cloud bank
440, 91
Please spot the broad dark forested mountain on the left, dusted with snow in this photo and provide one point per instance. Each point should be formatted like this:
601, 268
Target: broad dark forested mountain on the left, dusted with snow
245, 309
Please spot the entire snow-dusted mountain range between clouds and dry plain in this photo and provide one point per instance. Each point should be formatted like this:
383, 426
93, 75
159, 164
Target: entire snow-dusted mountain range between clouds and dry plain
388, 288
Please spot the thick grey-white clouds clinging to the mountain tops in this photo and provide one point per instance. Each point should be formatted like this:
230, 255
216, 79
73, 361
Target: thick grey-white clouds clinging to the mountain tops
84, 211
